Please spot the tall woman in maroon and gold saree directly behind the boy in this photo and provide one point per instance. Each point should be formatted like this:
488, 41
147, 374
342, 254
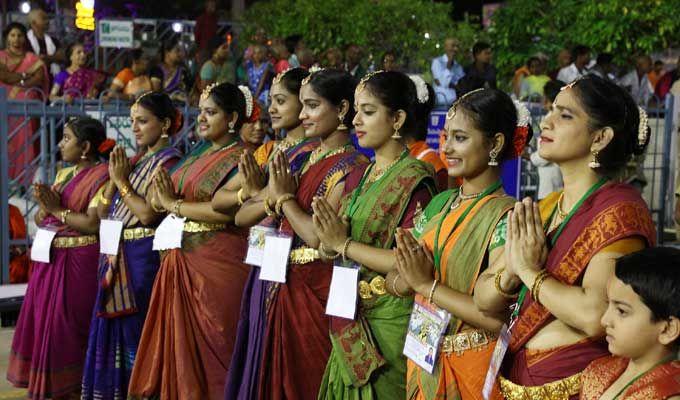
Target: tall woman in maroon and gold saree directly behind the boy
563, 250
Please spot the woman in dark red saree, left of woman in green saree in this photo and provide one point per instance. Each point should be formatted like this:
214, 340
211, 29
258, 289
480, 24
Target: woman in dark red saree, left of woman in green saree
296, 344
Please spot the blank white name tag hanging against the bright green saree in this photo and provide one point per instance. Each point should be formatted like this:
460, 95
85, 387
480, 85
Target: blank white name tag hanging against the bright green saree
342, 297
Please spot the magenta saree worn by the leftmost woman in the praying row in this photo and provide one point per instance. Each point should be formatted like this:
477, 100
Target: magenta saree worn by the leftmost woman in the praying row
50, 340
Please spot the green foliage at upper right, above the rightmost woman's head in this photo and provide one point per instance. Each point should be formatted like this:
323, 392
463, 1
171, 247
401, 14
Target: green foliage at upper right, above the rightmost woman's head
624, 28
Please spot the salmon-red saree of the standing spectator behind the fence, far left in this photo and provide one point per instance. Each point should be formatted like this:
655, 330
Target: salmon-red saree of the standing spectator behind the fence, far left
22, 149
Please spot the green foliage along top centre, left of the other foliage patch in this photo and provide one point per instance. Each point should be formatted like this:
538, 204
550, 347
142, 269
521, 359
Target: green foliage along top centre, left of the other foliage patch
377, 26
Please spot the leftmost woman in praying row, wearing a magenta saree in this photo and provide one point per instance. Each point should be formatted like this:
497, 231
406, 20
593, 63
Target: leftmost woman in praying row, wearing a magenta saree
50, 339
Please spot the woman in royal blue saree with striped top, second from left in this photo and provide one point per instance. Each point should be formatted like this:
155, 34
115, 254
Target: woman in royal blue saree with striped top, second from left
125, 280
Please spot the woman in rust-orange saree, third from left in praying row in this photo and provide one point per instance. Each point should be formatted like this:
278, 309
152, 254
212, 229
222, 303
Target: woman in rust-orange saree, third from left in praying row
189, 332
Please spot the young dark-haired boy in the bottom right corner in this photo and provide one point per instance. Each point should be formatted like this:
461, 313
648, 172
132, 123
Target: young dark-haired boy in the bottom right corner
642, 323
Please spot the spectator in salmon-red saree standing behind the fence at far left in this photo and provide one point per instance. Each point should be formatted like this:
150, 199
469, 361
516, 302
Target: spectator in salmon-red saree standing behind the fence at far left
24, 76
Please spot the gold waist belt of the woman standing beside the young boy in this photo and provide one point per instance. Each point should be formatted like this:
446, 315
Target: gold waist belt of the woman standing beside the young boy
558, 390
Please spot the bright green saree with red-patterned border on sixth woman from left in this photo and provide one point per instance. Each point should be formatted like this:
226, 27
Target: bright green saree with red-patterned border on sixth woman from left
367, 361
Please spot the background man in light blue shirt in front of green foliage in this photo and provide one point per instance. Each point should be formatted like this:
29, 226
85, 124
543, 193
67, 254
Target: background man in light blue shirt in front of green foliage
446, 73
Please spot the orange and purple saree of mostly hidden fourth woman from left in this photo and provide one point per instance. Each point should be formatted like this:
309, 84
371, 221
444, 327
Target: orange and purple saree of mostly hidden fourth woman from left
244, 370
